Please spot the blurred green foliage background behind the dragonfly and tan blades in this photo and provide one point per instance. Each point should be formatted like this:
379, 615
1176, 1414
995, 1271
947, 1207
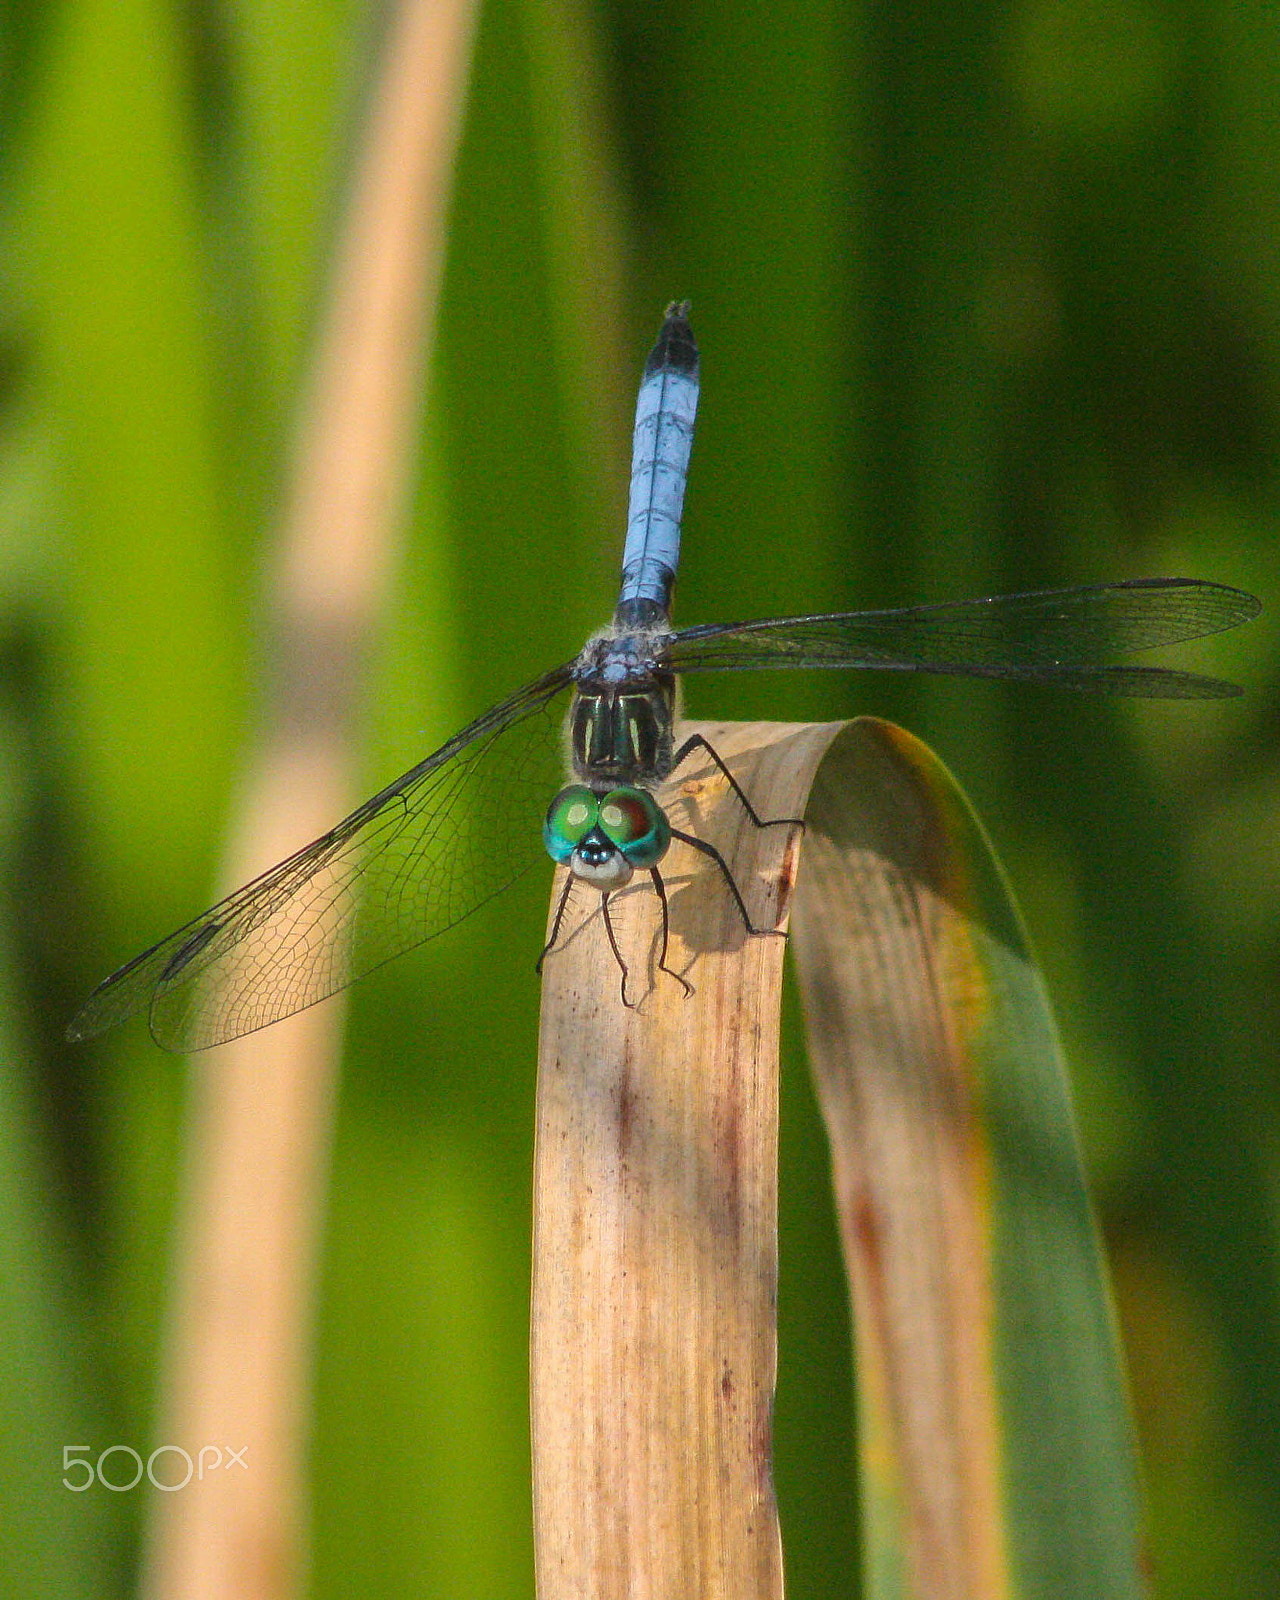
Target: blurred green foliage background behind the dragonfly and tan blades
988, 300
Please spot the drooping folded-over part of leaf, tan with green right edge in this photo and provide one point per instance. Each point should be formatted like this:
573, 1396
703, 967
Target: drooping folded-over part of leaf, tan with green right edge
994, 1436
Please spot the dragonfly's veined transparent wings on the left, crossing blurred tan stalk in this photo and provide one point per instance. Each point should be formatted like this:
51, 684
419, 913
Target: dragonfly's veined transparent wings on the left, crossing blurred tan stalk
406, 866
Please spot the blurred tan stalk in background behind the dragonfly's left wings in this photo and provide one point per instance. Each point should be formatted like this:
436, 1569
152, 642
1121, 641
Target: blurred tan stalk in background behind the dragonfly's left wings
239, 1350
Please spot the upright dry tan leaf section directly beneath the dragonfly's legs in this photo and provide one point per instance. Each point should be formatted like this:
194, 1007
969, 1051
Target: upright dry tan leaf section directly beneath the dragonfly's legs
655, 1214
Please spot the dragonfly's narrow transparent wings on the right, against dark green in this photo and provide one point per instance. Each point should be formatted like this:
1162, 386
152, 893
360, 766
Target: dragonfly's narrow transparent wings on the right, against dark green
1065, 638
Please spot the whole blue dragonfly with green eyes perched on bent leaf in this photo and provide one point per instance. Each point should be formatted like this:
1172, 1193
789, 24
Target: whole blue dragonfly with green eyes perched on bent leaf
462, 826
